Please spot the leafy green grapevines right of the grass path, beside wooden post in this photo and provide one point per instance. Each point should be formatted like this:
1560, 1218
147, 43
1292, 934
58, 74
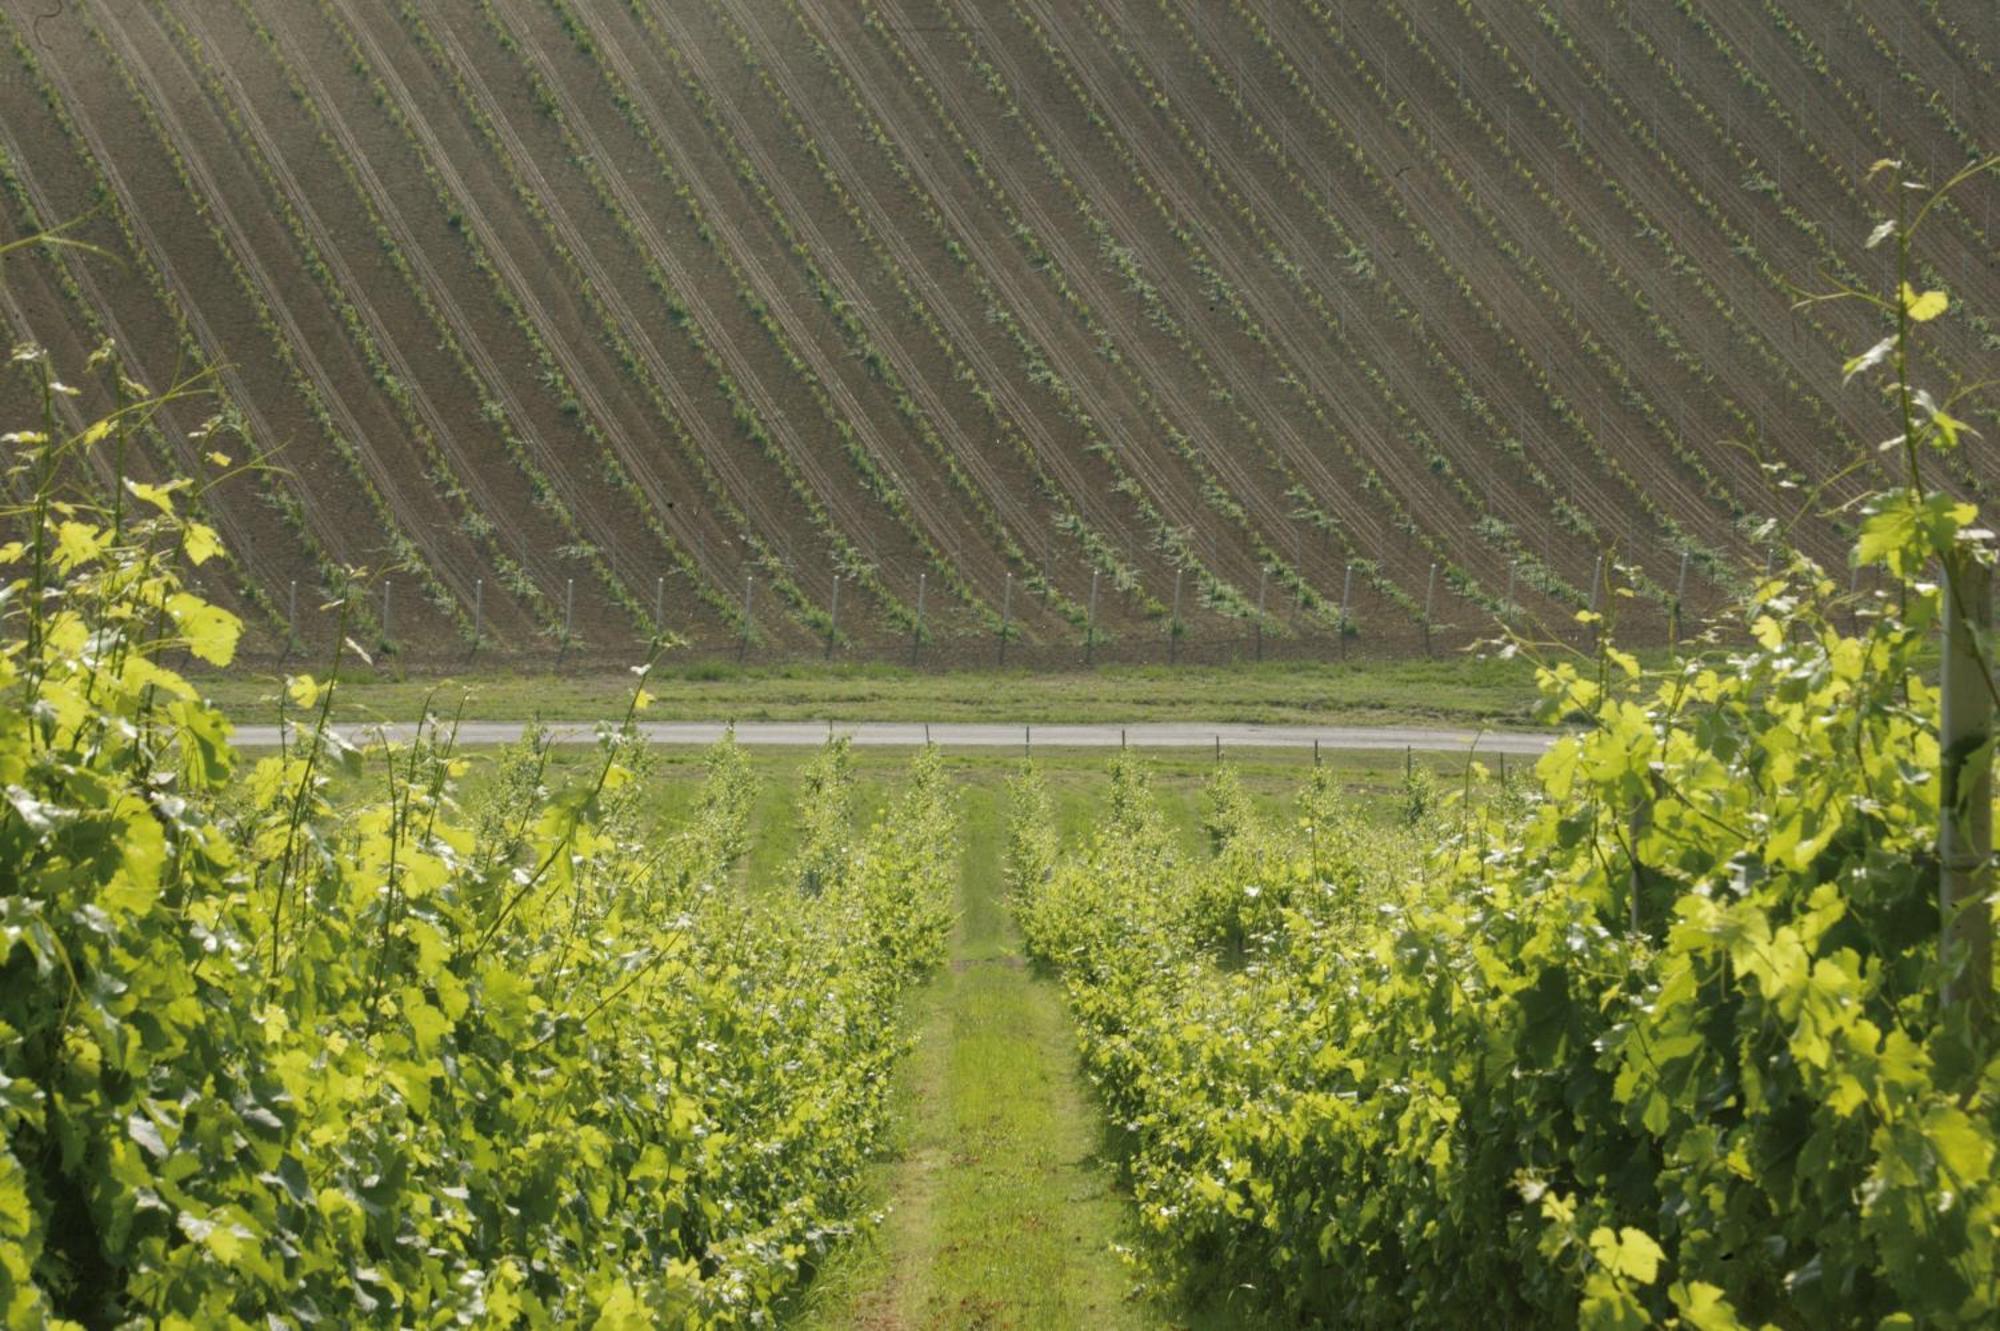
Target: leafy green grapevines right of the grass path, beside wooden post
1657, 1044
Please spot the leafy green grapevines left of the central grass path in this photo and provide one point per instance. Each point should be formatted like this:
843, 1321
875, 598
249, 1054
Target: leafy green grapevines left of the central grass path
303, 1040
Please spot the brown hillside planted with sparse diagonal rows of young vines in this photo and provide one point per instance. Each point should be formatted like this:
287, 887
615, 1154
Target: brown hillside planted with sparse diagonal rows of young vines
889, 327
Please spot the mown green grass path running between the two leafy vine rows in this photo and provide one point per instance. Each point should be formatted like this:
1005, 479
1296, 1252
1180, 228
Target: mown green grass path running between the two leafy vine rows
999, 1212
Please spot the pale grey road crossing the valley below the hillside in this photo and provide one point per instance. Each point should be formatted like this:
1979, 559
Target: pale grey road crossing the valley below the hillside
997, 736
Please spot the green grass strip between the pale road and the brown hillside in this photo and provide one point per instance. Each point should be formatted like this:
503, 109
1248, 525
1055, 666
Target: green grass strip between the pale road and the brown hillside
1453, 690
